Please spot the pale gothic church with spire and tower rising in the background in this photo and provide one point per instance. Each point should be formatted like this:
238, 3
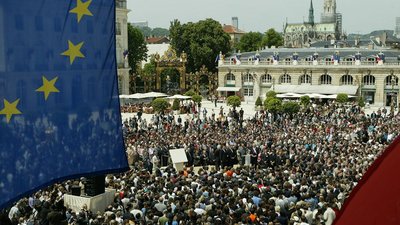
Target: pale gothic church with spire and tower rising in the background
298, 35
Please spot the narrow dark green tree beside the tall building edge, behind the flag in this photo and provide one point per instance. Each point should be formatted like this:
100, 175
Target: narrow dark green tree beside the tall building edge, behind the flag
137, 50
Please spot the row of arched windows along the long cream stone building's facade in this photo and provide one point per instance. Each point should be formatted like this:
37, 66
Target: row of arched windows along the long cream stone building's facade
306, 79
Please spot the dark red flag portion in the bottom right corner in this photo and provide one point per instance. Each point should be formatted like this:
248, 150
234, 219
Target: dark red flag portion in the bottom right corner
376, 198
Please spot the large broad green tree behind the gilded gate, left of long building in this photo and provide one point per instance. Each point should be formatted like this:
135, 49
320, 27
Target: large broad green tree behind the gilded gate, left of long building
202, 41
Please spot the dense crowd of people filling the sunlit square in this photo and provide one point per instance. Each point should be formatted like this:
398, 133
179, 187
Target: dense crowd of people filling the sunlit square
270, 169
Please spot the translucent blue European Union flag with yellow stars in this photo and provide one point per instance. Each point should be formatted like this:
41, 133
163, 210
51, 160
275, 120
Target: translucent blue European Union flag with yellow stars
59, 106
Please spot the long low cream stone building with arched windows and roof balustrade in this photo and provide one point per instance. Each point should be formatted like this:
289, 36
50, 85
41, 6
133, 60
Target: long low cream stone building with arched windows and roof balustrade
373, 74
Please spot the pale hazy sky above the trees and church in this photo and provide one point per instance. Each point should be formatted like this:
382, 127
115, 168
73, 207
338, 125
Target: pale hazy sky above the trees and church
359, 16
